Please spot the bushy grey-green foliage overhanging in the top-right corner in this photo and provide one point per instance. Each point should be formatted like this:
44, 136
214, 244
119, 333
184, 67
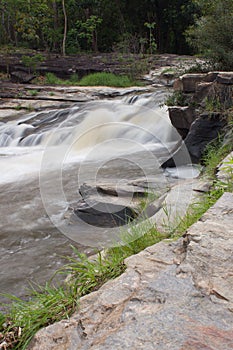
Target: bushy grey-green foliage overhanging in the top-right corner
213, 32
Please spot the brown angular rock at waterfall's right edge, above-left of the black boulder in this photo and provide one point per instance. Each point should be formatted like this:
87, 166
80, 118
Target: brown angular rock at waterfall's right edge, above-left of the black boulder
182, 118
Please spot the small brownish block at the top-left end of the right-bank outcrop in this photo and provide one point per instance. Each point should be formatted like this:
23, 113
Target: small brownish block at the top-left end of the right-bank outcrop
187, 82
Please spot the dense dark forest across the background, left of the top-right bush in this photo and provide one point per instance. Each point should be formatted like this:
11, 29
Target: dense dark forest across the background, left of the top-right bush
39, 24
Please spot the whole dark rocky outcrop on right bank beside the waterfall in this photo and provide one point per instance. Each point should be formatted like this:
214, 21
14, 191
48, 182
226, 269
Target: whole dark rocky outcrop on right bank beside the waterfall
203, 119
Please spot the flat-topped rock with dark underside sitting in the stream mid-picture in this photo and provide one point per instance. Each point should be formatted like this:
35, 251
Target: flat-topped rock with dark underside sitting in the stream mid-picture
108, 204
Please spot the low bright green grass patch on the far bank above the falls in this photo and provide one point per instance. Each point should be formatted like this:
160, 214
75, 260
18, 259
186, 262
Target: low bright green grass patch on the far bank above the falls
106, 79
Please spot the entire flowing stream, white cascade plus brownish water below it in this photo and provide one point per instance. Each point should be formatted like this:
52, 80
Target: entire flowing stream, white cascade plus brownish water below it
46, 156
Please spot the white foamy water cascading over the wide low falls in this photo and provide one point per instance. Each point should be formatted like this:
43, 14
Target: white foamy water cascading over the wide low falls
97, 130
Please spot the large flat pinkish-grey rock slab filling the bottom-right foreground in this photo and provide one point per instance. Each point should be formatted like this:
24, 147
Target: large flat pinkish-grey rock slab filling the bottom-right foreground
173, 295
